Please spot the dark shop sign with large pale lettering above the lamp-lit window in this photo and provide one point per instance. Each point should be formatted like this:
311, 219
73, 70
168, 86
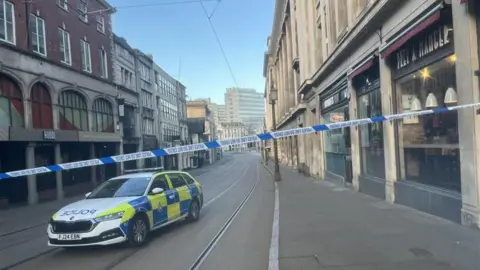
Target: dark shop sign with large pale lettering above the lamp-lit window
423, 46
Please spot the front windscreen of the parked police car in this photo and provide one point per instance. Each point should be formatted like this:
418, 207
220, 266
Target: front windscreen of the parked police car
125, 187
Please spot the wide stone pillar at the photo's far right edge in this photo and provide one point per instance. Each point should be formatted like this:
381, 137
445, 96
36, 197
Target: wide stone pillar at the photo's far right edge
466, 49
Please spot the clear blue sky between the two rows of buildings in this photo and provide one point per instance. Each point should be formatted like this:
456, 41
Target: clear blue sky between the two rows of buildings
182, 31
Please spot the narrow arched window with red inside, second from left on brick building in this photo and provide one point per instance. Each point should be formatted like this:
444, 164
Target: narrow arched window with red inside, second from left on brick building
42, 116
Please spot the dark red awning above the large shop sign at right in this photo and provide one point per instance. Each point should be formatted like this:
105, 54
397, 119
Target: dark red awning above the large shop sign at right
428, 19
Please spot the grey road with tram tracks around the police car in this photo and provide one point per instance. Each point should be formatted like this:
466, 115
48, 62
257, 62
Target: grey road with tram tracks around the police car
240, 186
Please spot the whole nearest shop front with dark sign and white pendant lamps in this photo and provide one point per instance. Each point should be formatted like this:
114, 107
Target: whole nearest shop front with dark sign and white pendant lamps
428, 152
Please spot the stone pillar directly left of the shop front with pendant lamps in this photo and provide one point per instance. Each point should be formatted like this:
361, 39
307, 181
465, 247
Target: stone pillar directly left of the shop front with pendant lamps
389, 147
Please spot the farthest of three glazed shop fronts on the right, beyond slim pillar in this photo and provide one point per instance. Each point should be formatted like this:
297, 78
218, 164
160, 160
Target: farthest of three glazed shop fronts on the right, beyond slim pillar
334, 108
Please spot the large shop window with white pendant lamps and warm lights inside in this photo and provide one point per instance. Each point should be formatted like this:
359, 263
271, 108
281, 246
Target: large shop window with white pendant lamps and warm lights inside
429, 145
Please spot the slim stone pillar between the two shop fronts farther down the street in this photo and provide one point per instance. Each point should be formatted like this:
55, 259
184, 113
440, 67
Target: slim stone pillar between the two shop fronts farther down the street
355, 138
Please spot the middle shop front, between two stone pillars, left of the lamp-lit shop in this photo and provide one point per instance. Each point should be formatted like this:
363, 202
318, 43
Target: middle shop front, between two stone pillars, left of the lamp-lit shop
366, 85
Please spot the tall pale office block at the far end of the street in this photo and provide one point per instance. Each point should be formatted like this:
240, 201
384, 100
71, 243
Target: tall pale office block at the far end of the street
246, 106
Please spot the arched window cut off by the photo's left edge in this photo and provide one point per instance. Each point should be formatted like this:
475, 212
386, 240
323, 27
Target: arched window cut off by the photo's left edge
11, 103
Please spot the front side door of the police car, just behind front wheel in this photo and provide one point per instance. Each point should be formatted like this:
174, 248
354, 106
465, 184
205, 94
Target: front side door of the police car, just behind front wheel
160, 201
